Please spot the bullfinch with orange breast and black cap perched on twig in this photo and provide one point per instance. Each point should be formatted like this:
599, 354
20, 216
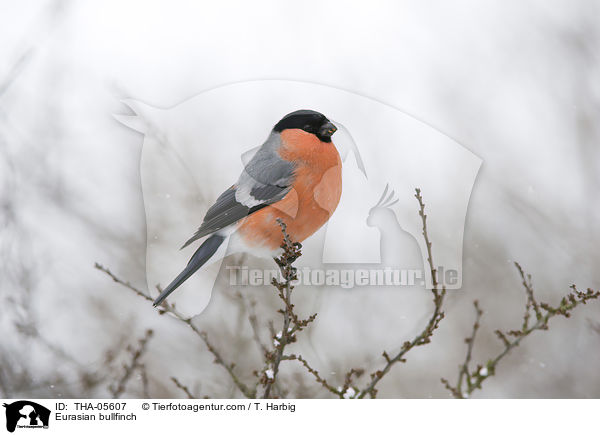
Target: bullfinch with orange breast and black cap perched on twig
296, 175
